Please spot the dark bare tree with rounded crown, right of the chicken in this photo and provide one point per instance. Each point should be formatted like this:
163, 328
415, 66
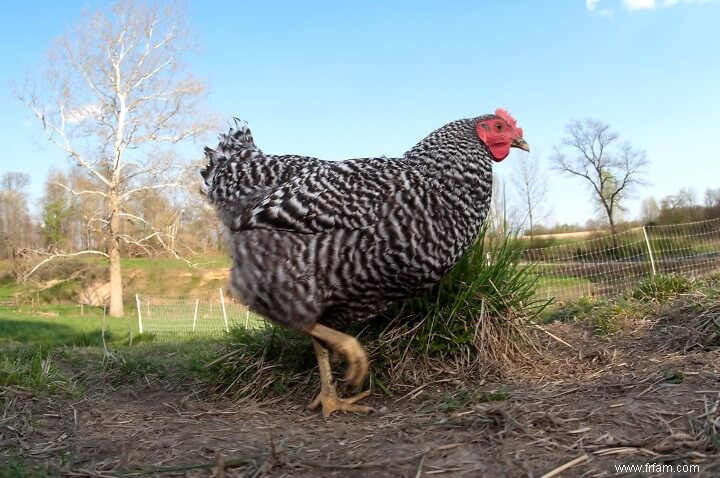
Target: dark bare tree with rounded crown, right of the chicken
612, 169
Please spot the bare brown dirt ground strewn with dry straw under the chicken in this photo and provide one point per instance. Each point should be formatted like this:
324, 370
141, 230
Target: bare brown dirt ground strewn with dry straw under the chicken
649, 396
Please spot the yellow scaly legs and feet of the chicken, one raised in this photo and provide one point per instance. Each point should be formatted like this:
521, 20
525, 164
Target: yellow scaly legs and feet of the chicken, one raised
357, 369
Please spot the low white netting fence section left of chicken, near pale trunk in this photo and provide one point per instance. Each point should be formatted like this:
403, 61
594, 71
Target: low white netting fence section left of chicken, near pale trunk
208, 315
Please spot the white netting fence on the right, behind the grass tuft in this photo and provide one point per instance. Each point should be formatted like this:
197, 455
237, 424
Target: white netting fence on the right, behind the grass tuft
612, 265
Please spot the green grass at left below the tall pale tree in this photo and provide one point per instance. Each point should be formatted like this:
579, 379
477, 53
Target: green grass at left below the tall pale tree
52, 355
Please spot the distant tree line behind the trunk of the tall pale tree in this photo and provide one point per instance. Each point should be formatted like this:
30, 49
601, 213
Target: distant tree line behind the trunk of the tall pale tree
67, 222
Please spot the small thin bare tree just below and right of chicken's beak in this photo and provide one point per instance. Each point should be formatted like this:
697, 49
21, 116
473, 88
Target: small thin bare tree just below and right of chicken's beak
531, 187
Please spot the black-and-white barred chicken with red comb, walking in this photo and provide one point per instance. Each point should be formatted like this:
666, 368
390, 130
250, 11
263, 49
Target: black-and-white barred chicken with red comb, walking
318, 246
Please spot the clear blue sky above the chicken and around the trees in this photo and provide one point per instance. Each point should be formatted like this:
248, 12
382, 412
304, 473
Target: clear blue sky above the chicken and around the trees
349, 79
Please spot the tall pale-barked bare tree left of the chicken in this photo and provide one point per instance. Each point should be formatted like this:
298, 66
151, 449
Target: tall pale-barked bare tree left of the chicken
115, 94
